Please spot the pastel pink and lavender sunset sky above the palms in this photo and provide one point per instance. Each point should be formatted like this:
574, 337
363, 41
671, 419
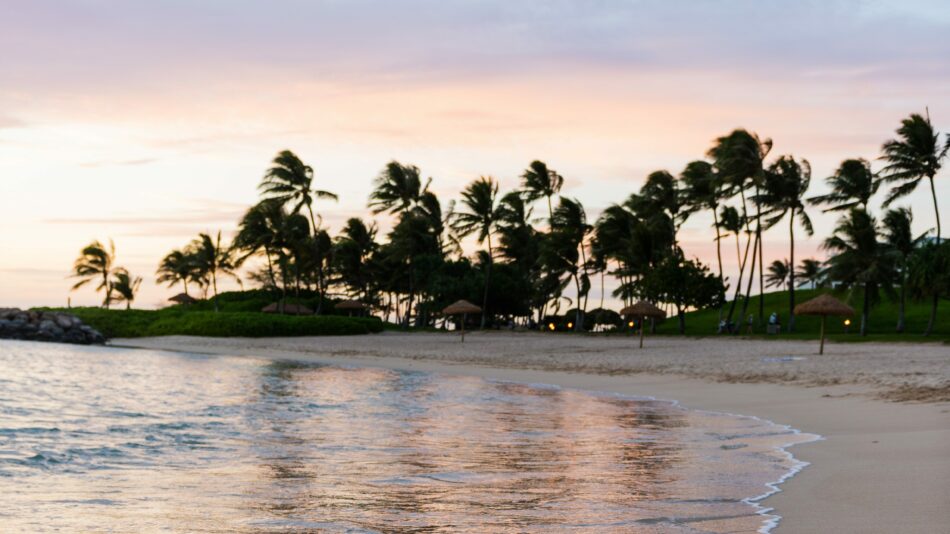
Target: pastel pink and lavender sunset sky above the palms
149, 122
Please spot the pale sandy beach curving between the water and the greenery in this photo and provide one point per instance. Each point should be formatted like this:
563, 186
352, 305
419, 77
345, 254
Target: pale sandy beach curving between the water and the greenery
883, 409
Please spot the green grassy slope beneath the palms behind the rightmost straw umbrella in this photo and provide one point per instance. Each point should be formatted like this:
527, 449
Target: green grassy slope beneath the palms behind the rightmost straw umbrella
882, 323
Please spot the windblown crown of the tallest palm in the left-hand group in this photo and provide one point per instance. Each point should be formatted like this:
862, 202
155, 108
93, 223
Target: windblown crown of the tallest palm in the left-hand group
290, 181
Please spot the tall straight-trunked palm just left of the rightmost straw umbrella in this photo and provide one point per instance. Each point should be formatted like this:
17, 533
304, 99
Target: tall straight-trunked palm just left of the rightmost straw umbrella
785, 185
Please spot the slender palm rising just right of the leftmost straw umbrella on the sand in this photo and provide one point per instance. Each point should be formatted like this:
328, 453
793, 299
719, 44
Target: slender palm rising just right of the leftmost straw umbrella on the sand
479, 217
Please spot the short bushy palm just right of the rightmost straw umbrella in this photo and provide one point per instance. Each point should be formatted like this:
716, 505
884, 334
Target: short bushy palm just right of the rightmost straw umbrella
860, 259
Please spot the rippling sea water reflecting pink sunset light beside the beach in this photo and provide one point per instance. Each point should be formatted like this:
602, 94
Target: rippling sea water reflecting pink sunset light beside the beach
99, 439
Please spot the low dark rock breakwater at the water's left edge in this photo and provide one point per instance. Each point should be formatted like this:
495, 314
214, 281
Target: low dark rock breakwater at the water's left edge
35, 325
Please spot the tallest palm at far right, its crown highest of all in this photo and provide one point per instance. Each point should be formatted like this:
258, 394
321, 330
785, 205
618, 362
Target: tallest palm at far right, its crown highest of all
916, 154
